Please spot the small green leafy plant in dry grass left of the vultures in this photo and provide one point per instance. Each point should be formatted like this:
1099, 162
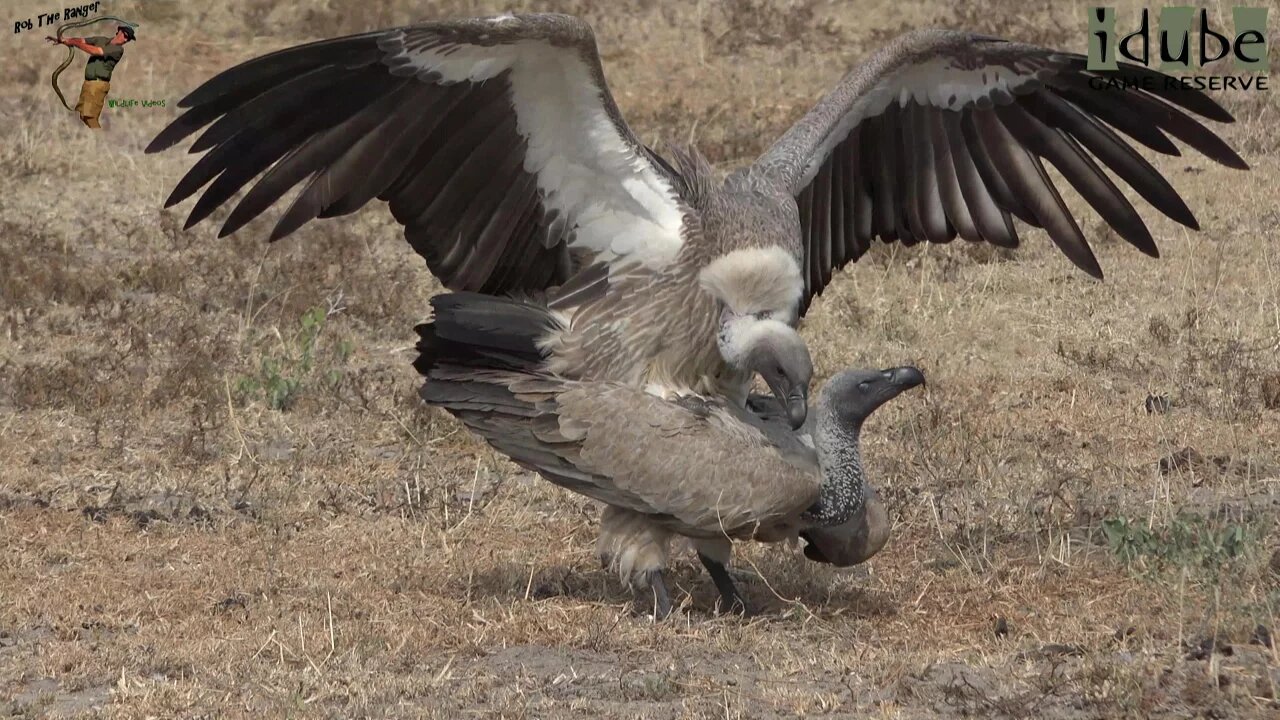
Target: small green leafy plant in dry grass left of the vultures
282, 376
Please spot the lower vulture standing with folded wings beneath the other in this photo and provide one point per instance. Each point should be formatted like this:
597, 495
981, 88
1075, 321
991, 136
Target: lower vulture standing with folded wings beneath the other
698, 467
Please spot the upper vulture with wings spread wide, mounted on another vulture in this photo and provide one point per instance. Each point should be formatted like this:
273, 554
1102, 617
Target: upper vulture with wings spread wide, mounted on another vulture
500, 149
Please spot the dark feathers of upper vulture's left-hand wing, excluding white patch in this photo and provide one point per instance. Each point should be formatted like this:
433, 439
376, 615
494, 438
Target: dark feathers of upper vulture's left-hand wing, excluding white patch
353, 119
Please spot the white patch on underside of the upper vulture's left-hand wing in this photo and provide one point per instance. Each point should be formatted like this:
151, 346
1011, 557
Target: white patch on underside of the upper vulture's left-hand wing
586, 170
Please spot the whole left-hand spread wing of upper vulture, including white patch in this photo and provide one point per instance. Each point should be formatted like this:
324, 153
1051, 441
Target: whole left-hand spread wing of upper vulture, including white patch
496, 142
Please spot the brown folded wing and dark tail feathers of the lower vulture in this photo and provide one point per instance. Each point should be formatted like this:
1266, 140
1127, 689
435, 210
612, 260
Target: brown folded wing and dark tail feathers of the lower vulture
700, 467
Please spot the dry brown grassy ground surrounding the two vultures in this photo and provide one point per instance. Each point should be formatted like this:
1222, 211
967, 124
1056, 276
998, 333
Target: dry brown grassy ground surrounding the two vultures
220, 495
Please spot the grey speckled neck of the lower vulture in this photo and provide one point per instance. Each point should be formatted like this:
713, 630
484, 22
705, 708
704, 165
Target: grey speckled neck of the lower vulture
844, 486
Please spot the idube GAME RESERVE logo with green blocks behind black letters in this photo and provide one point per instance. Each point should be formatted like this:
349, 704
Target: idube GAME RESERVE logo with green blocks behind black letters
1181, 49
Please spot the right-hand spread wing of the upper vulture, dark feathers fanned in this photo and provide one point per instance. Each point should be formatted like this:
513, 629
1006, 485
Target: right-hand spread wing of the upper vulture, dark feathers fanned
945, 134
